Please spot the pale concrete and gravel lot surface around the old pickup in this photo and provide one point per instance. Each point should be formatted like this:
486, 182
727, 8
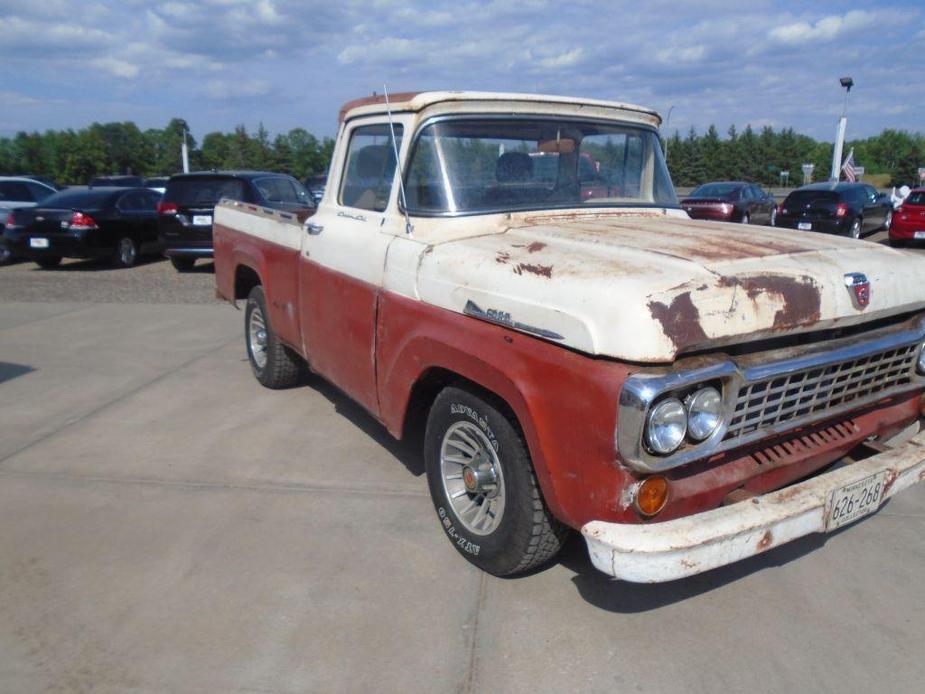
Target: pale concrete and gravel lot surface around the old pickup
166, 524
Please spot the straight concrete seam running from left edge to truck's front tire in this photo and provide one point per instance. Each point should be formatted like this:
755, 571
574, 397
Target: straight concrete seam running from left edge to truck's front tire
293, 488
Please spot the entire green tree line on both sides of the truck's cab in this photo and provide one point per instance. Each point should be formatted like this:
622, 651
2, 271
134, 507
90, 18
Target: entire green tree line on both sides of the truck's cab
75, 156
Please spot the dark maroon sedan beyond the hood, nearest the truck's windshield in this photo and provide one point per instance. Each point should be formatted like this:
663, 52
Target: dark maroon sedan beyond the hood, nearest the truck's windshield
731, 201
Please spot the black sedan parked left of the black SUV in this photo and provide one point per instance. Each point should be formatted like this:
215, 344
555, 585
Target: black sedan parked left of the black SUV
116, 223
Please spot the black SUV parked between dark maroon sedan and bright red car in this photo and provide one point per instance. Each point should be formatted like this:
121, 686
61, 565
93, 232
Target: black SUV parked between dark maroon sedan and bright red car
851, 209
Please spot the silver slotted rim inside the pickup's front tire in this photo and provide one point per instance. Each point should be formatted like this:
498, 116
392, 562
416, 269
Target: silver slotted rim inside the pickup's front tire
472, 478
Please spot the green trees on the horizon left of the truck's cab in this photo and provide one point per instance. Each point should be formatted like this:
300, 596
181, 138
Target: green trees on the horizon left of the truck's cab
73, 157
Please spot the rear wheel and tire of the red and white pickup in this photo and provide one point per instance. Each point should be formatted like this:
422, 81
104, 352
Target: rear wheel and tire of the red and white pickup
274, 365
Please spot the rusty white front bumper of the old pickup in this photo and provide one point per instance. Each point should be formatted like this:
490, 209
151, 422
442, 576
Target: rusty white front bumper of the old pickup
657, 552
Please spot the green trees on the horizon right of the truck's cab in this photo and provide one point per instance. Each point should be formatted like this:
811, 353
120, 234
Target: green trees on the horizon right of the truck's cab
761, 157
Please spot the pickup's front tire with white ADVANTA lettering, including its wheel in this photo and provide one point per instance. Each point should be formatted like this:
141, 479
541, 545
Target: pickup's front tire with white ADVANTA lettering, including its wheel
466, 425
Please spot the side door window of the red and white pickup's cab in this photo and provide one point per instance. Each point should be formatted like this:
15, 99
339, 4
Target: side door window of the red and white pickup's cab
370, 167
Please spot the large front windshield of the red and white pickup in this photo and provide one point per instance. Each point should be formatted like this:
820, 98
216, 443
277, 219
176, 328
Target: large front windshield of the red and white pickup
480, 165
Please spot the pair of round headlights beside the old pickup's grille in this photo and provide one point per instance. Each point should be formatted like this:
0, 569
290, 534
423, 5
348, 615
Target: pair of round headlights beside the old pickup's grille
672, 420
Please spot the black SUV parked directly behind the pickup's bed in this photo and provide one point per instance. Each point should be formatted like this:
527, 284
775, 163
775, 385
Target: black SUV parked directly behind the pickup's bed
184, 219
